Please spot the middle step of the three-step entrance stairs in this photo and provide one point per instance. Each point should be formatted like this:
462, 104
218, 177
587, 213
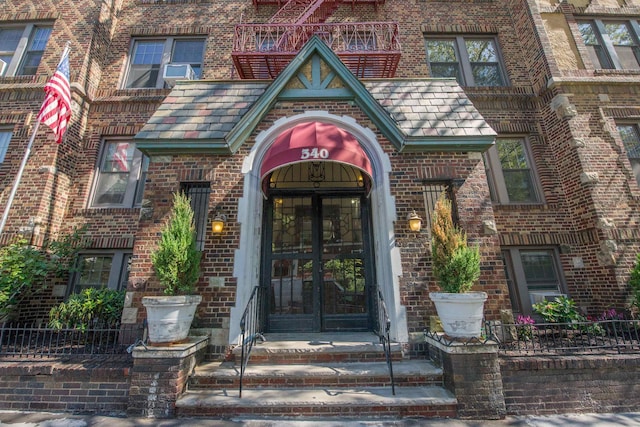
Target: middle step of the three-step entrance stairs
407, 373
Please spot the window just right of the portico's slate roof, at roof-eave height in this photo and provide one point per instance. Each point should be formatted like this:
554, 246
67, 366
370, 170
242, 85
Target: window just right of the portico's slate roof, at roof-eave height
511, 173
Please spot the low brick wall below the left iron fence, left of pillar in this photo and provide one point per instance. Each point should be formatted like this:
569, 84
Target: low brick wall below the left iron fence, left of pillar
89, 386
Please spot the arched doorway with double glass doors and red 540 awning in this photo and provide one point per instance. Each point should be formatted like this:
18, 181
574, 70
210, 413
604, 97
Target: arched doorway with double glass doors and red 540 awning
317, 269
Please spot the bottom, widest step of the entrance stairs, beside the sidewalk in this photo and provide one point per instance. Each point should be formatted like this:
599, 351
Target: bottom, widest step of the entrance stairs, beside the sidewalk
430, 401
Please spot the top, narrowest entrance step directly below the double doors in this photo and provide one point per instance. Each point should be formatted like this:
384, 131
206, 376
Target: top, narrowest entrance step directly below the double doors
319, 348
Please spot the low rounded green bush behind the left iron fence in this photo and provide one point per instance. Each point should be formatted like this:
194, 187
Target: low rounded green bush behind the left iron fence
90, 308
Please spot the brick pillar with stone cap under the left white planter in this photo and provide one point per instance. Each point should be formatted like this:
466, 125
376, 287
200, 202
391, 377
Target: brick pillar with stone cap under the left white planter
159, 376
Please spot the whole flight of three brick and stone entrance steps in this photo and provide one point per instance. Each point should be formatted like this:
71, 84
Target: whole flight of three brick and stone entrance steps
328, 375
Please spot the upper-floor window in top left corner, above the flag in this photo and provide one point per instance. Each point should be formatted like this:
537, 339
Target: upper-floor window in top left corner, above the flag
21, 48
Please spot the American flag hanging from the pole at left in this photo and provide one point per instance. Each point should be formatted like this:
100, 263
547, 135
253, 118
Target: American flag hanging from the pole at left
56, 108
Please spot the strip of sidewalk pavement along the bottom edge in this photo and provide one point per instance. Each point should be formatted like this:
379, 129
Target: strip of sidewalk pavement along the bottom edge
41, 419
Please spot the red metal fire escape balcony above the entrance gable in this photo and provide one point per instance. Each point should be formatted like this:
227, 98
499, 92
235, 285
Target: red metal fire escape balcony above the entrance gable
368, 49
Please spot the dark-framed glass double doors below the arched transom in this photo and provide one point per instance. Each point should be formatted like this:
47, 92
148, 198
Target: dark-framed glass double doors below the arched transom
317, 264
